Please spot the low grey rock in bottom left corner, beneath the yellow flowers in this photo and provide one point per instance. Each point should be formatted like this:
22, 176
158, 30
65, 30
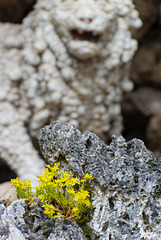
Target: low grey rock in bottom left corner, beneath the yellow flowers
25, 222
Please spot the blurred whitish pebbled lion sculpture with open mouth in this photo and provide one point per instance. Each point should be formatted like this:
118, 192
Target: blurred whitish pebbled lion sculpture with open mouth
68, 60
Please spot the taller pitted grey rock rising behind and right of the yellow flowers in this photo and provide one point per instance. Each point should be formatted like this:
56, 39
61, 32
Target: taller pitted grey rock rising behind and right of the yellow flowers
126, 190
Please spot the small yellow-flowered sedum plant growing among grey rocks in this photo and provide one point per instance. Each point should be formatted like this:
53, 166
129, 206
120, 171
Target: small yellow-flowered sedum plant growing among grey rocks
62, 195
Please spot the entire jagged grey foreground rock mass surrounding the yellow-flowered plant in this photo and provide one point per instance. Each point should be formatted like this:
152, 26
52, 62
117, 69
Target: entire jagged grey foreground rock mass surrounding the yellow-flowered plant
126, 190
